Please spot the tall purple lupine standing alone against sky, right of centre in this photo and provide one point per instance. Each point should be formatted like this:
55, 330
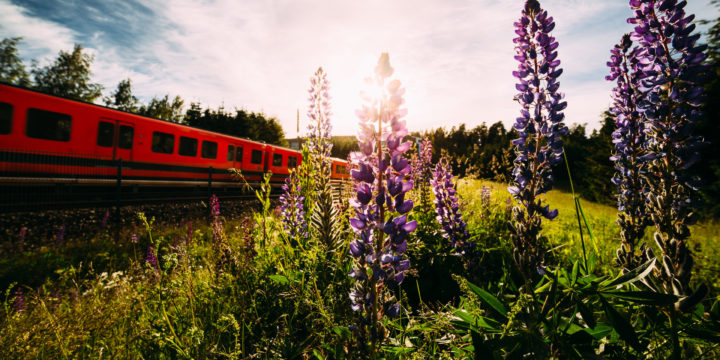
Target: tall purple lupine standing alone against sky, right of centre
540, 127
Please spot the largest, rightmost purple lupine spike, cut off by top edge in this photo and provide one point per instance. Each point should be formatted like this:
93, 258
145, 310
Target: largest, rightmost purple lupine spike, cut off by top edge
671, 68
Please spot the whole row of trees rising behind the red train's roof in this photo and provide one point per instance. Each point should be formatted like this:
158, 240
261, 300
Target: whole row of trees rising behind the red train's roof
69, 76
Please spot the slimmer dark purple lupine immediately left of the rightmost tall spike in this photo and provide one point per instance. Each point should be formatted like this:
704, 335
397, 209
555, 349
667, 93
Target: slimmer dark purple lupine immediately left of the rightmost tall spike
629, 155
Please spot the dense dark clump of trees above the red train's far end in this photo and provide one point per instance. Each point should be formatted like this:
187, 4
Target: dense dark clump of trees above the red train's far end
254, 126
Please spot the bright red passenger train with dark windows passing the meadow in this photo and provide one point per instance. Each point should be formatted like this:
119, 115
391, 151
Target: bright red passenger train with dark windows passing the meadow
49, 139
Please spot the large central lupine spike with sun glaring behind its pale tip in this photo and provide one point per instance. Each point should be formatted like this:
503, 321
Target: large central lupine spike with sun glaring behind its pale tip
380, 205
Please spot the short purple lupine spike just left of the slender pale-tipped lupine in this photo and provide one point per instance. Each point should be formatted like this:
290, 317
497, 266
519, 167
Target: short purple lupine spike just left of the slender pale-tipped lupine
292, 212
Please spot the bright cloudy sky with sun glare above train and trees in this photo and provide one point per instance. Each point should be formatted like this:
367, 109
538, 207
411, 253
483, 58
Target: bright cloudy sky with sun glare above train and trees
454, 57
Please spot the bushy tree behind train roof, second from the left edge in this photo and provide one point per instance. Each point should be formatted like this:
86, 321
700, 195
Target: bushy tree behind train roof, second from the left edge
68, 76
